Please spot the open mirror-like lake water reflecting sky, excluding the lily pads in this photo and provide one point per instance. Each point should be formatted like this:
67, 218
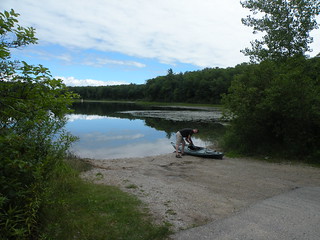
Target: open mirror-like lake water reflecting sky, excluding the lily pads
106, 132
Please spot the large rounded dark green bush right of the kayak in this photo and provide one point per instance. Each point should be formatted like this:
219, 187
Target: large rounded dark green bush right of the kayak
275, 108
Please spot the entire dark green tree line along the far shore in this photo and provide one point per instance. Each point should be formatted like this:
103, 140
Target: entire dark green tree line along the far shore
203, 86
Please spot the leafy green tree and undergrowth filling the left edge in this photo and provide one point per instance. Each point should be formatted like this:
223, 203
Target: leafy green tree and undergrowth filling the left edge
32, 139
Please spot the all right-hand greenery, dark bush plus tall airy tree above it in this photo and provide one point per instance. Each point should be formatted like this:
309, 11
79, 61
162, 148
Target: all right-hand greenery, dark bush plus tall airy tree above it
274, 106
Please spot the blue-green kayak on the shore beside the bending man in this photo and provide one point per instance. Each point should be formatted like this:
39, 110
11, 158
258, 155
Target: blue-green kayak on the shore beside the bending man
200, 151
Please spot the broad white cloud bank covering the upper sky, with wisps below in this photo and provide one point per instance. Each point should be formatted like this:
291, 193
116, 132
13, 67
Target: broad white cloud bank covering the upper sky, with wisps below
206, 33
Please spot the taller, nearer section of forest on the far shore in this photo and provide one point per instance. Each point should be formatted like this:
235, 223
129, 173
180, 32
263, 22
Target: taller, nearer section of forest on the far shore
203, 86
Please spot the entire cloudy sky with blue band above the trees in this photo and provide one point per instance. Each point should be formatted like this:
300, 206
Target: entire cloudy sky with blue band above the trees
113, 42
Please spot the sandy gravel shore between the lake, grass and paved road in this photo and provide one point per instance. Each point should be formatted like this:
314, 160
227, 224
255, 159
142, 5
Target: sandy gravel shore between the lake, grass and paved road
192, 191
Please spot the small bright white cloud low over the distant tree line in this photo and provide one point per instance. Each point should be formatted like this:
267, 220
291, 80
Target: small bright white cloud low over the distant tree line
71, 81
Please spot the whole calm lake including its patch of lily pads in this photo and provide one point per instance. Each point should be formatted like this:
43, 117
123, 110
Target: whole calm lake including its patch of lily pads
109, 130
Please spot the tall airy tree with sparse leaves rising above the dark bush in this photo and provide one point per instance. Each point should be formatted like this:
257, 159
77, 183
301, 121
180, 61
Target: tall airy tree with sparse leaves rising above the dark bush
287, 24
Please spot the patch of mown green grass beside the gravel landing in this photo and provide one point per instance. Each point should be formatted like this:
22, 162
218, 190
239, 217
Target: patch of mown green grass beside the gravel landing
77, 209
